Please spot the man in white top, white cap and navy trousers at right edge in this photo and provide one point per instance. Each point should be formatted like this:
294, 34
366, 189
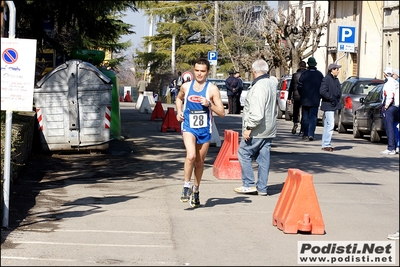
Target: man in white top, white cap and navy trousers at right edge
390, 111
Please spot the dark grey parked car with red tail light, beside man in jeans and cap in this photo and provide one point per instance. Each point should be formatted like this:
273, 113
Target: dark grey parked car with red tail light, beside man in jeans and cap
352, 90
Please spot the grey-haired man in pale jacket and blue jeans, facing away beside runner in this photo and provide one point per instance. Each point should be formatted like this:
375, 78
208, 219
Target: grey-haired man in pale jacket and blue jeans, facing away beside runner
258, 129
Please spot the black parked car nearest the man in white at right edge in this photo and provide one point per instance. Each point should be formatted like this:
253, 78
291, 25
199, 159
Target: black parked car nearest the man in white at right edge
367, 119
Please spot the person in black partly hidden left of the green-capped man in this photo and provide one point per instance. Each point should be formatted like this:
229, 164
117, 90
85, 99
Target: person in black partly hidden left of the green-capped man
294, 96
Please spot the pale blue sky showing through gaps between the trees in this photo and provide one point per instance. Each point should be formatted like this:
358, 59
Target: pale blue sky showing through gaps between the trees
142, 26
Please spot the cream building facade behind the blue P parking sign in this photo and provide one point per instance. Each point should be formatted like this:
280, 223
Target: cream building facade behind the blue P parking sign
376, 40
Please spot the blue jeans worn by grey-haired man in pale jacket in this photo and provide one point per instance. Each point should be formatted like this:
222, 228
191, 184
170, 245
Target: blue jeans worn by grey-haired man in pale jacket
259, 149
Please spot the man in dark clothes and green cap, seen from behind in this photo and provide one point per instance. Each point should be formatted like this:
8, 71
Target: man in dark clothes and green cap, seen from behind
308, 87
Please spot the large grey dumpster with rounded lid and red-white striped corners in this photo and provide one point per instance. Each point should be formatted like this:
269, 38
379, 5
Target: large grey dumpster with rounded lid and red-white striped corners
73, 108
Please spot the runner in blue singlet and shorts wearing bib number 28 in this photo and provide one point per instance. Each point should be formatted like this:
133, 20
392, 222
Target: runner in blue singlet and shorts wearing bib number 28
195, 103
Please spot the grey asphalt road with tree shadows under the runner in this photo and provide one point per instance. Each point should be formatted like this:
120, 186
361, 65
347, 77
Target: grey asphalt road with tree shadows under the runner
122, 208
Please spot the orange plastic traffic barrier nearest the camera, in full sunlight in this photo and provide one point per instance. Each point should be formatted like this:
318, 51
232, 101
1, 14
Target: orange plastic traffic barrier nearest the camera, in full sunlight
297, 208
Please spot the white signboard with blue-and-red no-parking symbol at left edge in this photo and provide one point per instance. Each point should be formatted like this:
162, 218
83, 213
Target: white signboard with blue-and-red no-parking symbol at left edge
18, 59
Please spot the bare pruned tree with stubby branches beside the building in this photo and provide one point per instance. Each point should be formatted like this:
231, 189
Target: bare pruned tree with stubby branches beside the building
290, 37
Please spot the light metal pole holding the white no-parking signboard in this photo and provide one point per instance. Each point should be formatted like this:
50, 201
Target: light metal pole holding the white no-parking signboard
7, 148
